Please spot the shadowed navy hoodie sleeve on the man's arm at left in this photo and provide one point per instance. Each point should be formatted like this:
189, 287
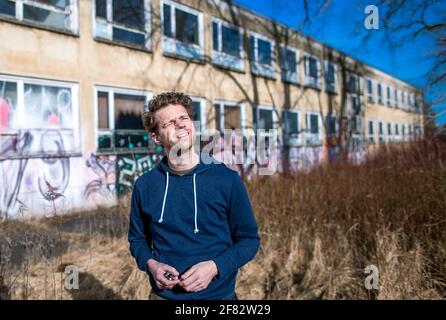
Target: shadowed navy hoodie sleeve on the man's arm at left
139, 237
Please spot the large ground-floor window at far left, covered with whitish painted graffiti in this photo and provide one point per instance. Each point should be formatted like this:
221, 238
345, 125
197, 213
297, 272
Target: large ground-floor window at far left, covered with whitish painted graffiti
38, 117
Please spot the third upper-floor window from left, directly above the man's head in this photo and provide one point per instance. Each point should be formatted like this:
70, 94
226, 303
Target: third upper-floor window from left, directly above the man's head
182, 30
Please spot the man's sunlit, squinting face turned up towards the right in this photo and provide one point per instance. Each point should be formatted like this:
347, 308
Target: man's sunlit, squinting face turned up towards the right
175, 128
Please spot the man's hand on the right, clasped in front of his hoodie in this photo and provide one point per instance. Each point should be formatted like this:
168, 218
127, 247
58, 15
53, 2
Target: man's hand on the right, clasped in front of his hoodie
199, 276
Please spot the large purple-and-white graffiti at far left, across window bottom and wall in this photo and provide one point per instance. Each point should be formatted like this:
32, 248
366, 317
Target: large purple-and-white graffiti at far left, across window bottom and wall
48, 168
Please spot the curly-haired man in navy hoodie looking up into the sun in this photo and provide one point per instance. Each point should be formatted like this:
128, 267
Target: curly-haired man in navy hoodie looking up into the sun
191, 221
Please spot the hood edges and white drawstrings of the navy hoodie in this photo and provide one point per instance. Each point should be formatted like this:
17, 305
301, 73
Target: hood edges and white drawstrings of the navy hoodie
206, 163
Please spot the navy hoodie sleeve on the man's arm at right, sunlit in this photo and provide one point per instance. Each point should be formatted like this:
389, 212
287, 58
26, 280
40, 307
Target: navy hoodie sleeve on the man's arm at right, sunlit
244, 231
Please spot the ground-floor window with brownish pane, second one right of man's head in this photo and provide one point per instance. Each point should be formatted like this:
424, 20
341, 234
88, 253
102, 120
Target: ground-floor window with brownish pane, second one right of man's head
228, 116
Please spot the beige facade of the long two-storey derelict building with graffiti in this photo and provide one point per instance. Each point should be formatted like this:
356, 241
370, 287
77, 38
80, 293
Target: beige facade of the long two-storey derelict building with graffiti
73, 73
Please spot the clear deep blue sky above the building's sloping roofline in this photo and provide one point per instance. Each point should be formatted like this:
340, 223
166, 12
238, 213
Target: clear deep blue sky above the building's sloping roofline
341, 25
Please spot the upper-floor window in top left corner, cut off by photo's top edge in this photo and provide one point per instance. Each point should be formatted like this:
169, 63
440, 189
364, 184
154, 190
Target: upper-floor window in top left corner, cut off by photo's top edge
57, 14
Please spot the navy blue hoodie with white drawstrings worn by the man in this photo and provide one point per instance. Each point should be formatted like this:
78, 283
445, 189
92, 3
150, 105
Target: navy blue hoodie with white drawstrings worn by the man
183, 220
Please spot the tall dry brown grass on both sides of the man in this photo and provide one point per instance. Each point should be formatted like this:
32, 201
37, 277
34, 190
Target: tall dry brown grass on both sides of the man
319, 230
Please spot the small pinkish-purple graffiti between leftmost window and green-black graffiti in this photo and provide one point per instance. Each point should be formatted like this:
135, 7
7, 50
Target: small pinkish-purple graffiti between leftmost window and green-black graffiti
104, 182
